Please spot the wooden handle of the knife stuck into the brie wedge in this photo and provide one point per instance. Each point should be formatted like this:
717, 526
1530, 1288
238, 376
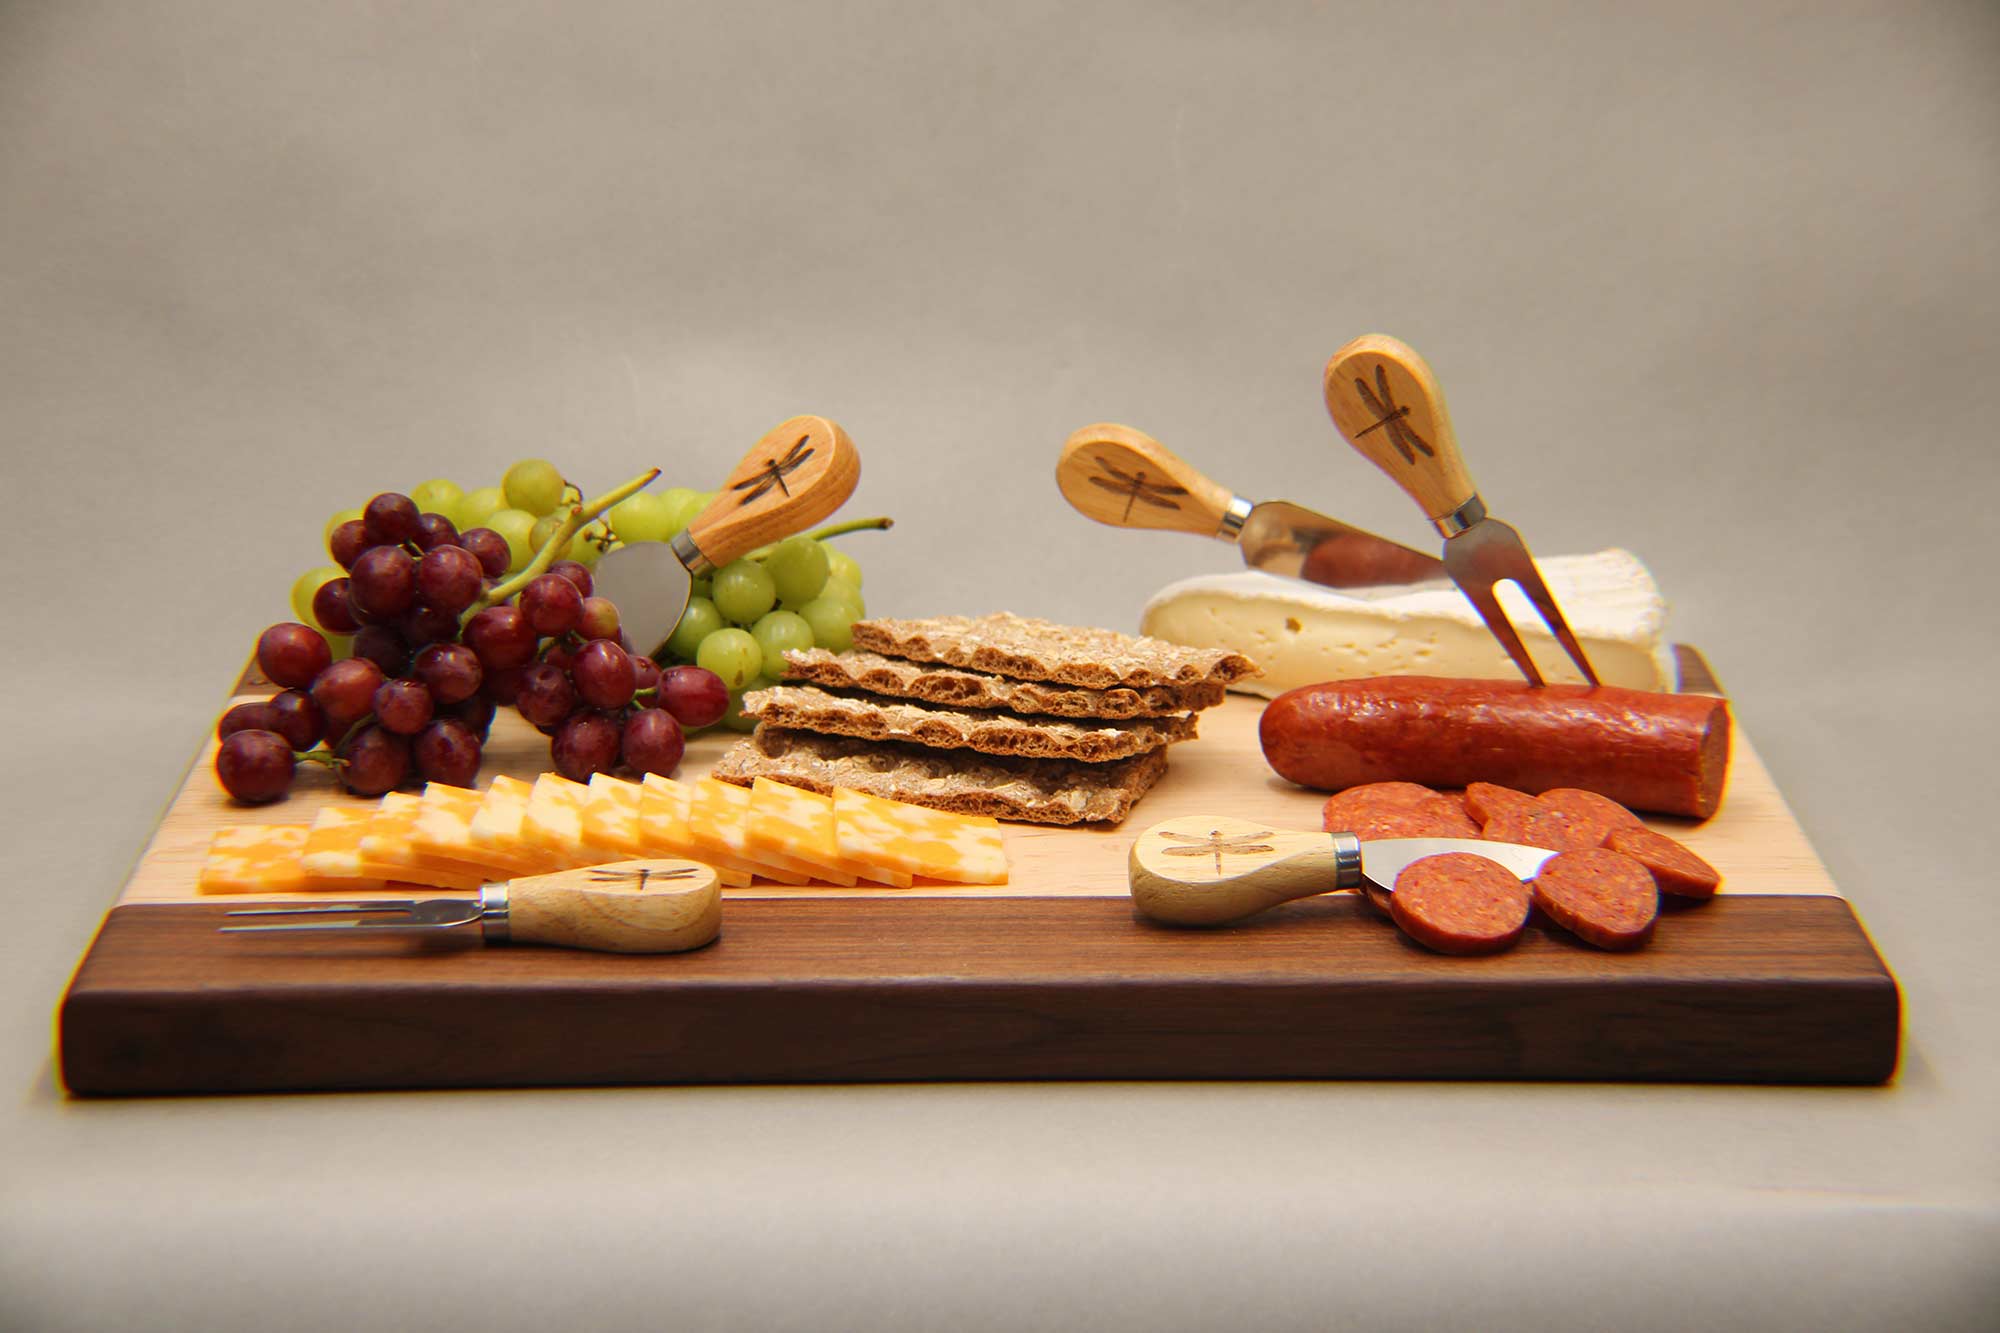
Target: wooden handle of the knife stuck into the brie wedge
1129, 479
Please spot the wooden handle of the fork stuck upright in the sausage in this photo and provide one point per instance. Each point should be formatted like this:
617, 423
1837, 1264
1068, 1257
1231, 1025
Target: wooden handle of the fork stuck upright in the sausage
1389, 405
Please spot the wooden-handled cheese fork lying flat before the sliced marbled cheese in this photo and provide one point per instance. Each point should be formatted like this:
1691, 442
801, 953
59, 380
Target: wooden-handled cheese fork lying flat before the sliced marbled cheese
665, 906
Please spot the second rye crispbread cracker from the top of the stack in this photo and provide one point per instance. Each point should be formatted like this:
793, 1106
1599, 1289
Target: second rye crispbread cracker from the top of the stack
971, 690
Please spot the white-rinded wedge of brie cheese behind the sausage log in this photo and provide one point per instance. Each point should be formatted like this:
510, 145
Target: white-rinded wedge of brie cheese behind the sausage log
1303, 633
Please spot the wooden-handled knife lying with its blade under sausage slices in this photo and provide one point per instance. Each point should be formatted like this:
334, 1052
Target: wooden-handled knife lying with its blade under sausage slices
1207, 870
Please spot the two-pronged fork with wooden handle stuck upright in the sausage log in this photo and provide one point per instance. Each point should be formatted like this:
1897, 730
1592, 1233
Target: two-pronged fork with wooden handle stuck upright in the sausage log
1389, 405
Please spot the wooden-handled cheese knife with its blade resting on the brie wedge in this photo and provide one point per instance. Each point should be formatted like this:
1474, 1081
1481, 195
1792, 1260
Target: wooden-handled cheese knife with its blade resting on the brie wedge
1129, 479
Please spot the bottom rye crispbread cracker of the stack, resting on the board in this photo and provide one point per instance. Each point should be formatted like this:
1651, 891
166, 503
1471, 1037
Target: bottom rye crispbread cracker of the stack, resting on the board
1039, 792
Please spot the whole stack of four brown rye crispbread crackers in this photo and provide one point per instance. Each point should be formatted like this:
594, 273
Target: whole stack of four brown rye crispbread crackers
997, 716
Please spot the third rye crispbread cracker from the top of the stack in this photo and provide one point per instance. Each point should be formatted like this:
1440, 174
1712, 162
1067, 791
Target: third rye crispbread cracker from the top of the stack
805, 708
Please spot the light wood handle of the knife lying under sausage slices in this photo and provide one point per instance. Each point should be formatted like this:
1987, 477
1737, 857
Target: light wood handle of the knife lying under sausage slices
1207, 870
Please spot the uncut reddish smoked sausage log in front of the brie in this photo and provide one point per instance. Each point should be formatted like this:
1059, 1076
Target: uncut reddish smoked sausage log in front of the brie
1665, 754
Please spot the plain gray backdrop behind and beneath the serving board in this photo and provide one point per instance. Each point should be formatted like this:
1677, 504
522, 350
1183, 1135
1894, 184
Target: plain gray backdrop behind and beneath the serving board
1709, 281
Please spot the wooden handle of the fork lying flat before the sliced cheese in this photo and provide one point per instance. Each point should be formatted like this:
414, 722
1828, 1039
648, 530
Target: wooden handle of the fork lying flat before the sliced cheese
661, 906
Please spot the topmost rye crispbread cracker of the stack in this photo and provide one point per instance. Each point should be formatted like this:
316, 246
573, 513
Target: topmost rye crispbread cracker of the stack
1033, 649
